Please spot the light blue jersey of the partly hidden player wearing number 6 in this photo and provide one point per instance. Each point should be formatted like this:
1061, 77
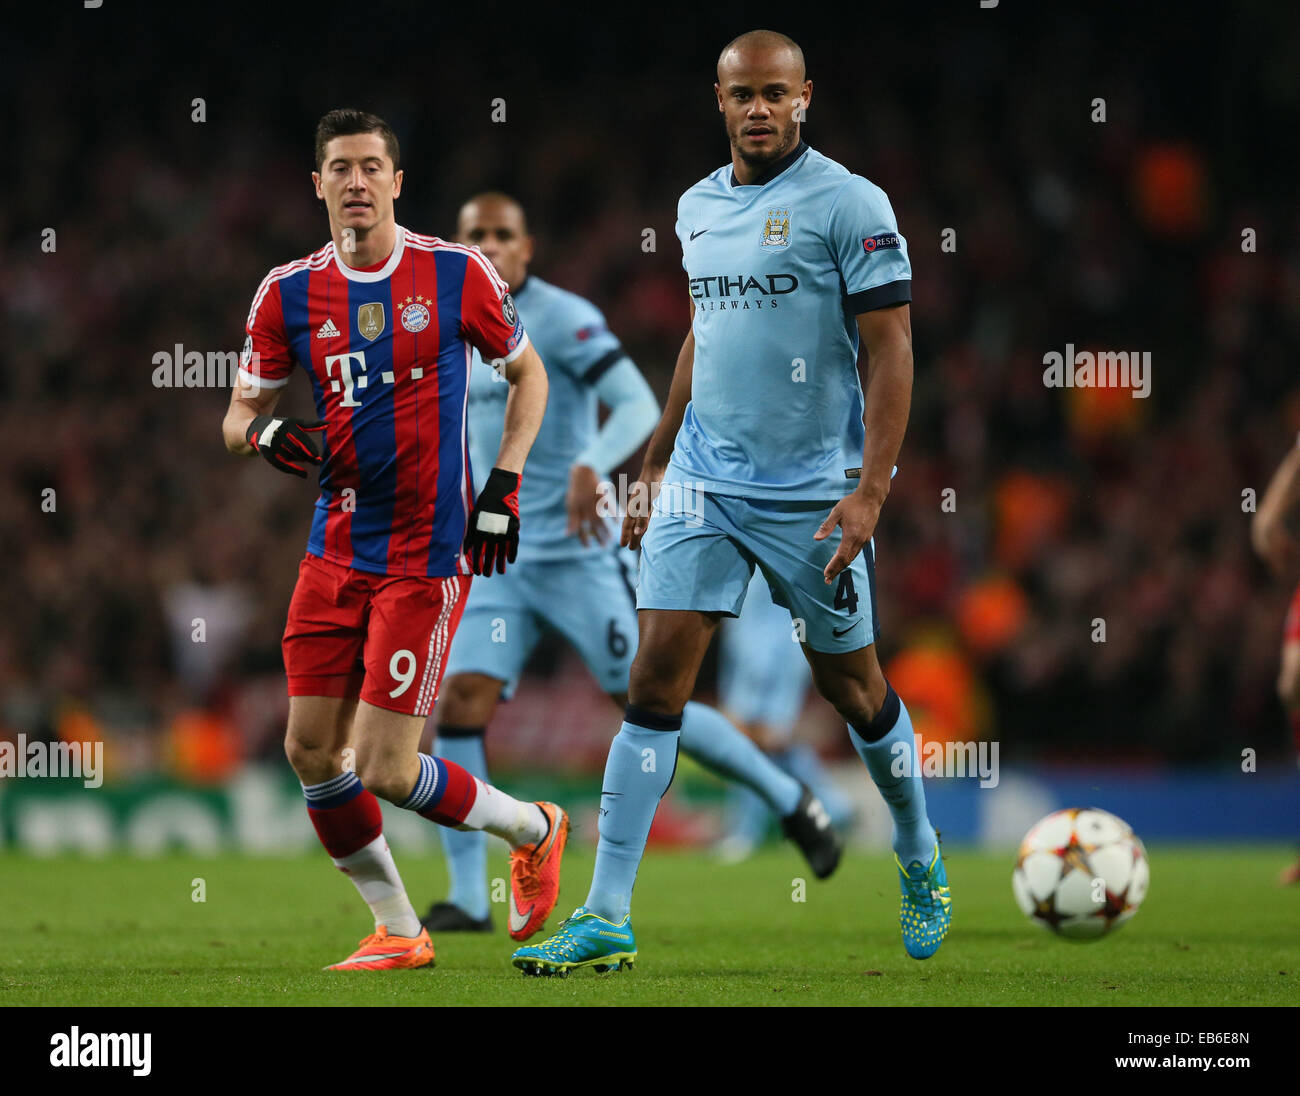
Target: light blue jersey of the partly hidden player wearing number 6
578, 349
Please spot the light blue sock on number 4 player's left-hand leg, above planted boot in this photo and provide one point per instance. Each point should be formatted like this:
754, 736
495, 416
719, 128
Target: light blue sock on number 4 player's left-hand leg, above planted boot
642, 764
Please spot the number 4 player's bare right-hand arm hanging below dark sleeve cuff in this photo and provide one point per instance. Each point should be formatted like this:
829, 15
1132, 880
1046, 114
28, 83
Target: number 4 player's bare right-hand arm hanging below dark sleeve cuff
887, 389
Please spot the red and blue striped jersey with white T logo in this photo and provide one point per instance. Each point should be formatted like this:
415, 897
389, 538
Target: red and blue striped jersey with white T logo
388, 353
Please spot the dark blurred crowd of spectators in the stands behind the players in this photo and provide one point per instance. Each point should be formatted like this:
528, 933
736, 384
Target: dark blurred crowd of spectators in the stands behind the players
1065, 508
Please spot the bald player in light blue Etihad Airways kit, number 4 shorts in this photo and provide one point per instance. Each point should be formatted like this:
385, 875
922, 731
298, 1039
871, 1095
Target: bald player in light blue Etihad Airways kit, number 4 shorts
791, 262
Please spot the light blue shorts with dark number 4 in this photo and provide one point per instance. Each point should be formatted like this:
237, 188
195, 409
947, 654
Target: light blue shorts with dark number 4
701, 551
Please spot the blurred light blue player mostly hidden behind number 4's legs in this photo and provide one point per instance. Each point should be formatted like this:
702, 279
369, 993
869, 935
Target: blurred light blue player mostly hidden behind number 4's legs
762, 688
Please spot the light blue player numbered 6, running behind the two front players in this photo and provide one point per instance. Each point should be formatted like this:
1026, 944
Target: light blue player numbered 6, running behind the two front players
570, 575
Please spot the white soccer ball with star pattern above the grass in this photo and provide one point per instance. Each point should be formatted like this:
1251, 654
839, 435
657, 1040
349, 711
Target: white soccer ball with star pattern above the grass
1081, 873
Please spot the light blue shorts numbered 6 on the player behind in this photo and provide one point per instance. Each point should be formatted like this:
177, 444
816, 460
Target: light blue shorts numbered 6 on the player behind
590, 600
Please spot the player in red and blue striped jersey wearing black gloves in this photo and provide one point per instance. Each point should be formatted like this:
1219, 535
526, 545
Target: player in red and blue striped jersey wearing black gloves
383, 322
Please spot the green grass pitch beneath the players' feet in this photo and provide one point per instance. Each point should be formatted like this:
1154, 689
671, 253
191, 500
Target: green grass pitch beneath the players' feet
116, 932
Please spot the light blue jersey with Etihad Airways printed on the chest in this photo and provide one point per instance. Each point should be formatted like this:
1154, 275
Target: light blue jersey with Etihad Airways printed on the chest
779, 271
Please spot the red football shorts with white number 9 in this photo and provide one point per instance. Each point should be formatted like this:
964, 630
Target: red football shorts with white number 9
380, 638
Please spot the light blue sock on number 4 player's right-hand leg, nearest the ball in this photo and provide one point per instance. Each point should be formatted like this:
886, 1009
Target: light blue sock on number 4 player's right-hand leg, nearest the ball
894, 752
